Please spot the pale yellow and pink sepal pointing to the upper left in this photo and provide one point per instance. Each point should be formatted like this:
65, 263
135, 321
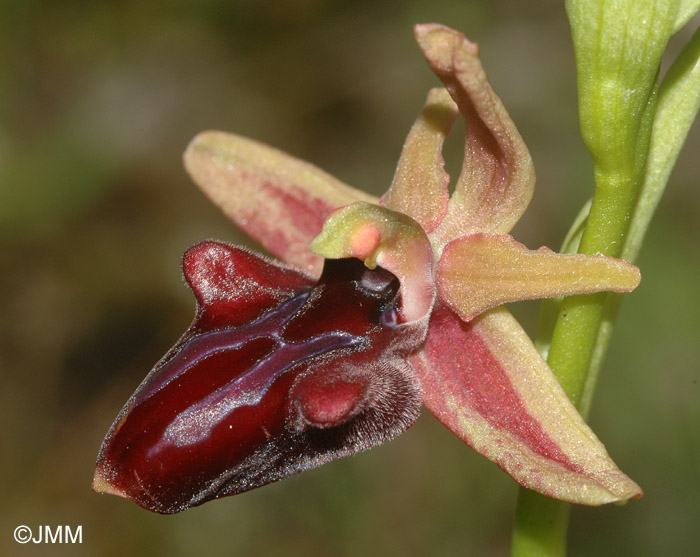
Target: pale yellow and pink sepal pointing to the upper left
277, 199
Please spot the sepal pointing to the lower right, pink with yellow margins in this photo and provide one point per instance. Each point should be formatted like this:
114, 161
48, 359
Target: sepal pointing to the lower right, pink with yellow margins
499, 396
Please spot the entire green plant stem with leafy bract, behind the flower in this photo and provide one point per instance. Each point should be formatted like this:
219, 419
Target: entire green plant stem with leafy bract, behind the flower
634, 145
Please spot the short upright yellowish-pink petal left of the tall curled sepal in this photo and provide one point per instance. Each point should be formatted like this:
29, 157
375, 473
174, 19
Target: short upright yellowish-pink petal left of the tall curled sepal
419, 188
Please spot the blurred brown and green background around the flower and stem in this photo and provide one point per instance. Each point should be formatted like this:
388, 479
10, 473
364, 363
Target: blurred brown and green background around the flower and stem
98, 100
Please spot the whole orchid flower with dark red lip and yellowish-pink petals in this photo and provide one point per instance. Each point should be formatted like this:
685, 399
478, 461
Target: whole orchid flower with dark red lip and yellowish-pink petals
381, 305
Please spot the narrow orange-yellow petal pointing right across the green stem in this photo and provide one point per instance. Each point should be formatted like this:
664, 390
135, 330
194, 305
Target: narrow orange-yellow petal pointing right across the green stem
482, 271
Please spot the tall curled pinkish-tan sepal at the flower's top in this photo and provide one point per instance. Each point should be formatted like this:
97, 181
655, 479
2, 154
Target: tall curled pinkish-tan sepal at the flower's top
498, 178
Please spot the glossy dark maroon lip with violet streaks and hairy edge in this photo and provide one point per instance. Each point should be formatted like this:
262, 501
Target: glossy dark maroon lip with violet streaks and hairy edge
275, 375
